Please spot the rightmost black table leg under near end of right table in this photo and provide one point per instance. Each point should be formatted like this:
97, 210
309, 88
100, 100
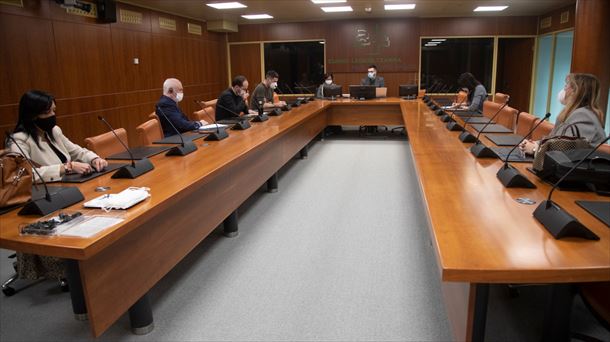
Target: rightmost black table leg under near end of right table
558, 312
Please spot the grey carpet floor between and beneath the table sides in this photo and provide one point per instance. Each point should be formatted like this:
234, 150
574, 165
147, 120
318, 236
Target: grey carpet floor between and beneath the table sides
340, 253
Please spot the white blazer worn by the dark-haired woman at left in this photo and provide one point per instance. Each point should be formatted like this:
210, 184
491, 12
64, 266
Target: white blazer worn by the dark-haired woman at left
50, 164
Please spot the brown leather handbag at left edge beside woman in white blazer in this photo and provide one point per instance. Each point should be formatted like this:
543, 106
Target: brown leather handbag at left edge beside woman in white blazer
15, 179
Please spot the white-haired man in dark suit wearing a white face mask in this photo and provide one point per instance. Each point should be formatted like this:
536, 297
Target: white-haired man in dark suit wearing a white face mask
172, 94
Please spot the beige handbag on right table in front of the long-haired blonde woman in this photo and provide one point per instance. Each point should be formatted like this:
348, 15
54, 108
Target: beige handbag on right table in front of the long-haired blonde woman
559, 142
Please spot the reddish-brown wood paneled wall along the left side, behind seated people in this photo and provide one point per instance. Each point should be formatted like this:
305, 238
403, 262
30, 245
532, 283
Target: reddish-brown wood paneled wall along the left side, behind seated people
89, 68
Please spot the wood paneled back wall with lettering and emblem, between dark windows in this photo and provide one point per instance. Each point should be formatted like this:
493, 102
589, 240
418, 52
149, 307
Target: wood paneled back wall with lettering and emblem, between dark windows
394, 43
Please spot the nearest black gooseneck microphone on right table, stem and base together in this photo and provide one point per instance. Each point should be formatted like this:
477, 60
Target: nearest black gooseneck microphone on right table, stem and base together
558, 221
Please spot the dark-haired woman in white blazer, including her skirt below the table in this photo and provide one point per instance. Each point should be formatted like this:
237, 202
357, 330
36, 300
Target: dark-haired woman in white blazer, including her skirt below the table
43, 141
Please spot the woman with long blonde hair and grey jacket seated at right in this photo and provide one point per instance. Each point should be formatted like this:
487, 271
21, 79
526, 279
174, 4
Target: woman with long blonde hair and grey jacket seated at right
580, 96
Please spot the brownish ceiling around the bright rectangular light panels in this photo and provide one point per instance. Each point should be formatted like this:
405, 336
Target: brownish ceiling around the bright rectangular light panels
305, 10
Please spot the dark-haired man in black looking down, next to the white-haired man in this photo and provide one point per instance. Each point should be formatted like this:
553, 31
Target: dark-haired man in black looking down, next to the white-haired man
232, 102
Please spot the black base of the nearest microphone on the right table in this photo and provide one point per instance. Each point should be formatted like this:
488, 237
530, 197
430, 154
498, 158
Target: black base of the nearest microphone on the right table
560, 223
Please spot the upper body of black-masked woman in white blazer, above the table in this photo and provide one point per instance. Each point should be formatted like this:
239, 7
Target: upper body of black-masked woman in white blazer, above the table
43, 141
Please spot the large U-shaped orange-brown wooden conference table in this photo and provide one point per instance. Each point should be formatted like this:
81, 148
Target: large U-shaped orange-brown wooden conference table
480, 234
